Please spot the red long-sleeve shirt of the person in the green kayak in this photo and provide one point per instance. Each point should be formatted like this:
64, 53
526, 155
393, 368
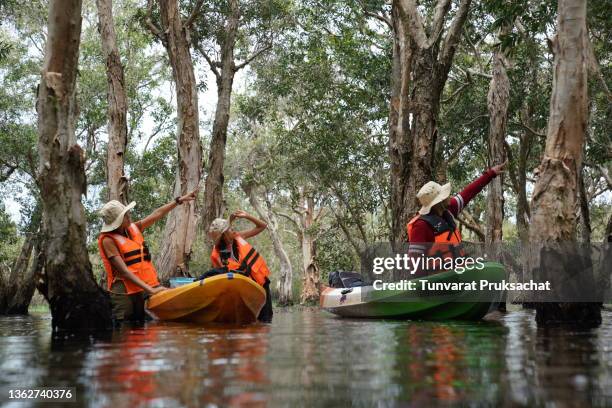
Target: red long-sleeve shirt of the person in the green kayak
422, 231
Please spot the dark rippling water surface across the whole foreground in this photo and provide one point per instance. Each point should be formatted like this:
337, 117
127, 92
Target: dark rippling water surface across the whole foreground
308, 358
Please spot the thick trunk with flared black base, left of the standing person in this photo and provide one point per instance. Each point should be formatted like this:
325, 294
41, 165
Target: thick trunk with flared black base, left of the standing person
67, 282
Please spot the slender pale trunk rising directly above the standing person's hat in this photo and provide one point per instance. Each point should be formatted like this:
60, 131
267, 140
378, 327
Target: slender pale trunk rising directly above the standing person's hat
117, 105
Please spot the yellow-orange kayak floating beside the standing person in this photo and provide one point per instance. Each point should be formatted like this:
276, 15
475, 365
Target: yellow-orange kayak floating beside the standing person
226, 298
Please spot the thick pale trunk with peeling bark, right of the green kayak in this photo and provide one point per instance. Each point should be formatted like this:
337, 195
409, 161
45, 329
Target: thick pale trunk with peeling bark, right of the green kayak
553, 233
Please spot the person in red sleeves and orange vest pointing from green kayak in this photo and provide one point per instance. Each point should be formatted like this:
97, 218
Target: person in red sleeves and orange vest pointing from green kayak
433, 232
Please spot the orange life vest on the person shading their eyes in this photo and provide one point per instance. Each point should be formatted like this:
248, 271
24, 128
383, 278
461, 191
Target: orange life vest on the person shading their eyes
248, 261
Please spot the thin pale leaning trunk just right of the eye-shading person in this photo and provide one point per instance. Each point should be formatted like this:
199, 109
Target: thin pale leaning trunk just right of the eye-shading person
286, 270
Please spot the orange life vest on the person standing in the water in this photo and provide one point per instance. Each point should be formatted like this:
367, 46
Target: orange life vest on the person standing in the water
135, 254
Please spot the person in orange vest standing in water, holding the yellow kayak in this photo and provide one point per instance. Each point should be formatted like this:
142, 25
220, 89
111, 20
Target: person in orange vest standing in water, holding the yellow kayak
127, 261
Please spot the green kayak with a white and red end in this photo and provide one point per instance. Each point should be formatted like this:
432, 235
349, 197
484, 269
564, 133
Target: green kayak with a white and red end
443, 296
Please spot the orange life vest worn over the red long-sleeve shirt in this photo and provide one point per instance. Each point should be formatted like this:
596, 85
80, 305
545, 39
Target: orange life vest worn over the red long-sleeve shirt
447, 238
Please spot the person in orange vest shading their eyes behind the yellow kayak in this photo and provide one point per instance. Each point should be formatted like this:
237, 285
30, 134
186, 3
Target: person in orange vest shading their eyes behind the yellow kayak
231, 252
